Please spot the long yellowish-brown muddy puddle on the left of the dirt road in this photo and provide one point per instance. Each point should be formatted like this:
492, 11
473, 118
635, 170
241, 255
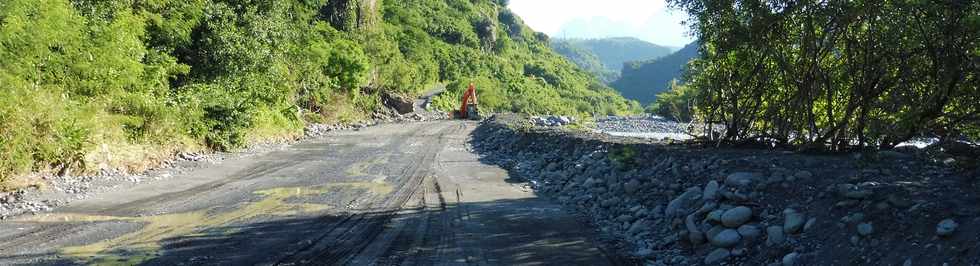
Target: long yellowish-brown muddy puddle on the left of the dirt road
144, 244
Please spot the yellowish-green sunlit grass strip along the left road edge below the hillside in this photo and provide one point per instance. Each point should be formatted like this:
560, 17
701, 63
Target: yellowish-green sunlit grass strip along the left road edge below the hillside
42, 132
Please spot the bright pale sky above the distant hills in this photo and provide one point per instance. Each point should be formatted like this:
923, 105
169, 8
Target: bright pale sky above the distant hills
648, 20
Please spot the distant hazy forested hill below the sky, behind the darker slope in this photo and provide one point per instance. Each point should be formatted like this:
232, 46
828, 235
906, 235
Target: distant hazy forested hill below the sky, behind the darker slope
612, 53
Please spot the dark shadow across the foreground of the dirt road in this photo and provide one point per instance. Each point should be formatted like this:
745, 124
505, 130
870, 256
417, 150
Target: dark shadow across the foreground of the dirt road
503, 235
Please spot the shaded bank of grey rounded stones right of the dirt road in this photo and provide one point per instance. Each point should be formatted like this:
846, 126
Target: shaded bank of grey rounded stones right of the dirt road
684, 205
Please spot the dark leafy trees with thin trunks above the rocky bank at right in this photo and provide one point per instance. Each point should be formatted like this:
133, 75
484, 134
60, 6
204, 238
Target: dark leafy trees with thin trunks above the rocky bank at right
837, 74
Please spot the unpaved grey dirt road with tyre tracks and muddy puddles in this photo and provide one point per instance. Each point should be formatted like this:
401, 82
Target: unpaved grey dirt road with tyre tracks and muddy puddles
399, 194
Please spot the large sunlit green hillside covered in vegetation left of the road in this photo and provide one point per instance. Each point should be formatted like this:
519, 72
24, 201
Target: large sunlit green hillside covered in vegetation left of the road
104, 84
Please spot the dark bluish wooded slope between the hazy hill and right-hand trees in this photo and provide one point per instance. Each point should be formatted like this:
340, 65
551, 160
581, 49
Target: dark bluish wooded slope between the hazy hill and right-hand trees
644, 80
